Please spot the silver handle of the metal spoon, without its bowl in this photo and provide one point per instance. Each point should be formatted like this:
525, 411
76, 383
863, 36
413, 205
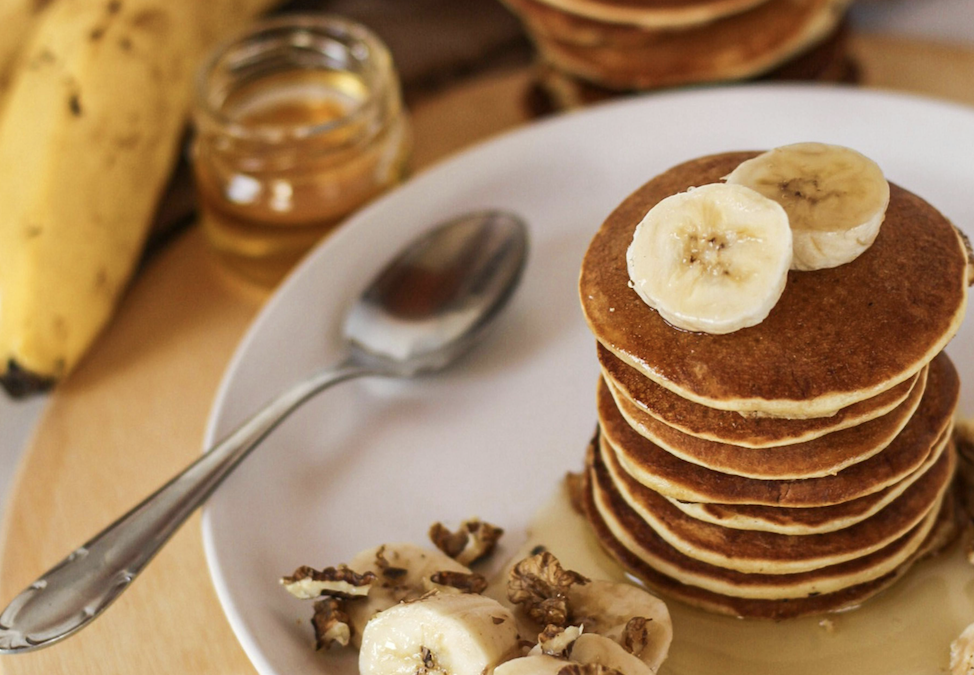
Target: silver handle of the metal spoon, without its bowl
81, 586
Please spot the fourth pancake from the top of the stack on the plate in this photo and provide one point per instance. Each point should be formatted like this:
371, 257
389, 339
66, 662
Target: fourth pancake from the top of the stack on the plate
927, 431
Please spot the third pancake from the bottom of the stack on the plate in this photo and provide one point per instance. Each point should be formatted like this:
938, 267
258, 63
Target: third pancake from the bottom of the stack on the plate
757, 552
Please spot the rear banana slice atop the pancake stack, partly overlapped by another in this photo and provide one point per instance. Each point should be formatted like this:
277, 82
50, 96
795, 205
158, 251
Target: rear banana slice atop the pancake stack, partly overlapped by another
835, 197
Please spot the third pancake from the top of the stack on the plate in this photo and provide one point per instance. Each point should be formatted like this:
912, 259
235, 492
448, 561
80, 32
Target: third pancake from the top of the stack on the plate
823, 456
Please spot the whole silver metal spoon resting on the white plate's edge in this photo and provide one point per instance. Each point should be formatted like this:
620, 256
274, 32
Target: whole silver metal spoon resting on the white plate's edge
429, 306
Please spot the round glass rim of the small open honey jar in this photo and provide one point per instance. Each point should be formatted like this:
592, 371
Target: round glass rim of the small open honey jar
358, 40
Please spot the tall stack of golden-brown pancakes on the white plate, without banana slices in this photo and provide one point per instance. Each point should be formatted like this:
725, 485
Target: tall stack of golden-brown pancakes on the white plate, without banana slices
794, 467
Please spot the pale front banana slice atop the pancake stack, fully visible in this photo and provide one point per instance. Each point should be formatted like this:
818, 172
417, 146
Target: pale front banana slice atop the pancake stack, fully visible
714, 258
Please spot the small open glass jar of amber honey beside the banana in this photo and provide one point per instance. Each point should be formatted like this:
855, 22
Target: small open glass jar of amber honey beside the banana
298, 123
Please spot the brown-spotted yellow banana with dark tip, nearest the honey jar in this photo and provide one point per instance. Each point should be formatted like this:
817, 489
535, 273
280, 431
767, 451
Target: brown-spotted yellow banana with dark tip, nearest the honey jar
90, 130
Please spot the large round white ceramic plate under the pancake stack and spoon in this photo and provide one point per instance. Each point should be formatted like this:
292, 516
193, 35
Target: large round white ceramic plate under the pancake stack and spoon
373, 462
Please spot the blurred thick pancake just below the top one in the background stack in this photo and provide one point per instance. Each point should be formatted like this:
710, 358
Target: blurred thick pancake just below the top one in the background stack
628, 56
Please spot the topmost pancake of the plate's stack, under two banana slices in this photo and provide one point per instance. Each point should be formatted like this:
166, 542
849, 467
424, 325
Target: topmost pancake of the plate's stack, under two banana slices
817, 351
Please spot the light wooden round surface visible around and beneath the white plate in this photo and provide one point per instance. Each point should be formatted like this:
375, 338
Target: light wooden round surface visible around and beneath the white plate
134, 413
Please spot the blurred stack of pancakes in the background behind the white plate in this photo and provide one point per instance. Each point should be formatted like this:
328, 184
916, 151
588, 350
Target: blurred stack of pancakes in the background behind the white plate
590, 48
